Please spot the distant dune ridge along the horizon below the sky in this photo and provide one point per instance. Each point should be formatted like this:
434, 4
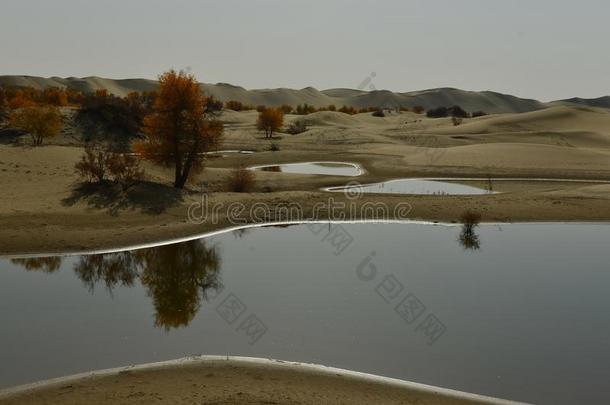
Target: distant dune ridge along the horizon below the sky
488, 101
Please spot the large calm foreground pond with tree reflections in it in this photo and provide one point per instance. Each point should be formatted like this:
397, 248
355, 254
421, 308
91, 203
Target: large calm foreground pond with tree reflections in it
516, 311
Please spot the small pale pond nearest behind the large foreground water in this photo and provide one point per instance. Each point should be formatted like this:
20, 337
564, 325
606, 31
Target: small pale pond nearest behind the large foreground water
414, 186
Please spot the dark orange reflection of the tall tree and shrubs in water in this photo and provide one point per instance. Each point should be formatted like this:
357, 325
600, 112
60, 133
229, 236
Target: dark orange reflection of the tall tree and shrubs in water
176, 276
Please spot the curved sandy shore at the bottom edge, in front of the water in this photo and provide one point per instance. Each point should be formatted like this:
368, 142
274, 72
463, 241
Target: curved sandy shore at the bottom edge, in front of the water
216, 380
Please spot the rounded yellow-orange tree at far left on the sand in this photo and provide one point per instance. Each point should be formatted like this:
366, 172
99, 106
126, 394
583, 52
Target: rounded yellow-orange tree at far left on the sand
39, 122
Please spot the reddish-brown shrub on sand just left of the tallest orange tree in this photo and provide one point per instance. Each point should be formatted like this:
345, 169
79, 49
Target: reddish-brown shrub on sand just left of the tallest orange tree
100, 164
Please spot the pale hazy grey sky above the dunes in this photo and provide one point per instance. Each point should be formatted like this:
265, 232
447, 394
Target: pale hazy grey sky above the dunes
545, 49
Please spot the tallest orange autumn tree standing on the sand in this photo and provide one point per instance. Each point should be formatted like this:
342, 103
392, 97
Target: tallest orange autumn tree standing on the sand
181, 128
